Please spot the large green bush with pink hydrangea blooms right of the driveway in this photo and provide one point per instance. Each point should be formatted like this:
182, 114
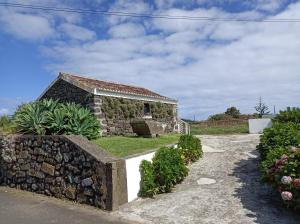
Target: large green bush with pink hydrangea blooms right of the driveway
280, 156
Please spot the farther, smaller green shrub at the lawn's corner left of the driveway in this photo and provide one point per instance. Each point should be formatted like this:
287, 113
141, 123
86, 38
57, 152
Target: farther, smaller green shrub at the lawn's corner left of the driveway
190, 148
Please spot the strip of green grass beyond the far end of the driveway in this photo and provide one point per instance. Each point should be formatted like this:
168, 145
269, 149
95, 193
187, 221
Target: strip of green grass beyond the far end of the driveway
220, 130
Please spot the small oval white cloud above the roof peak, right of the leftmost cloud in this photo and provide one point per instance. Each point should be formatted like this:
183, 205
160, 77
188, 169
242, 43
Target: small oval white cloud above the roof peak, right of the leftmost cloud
77, 32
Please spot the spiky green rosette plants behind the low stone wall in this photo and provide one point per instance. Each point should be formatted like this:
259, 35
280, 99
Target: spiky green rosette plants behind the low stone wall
48, 117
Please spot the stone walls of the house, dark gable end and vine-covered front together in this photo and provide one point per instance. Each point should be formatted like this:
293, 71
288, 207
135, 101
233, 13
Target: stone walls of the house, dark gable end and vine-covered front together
114, 114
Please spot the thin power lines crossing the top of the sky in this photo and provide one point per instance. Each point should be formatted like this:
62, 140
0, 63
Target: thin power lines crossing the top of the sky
132, 14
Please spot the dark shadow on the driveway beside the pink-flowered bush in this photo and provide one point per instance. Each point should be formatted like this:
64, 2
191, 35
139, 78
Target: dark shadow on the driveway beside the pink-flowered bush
263, 203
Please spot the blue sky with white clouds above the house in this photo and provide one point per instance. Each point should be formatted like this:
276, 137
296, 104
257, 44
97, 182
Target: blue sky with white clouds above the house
207, 66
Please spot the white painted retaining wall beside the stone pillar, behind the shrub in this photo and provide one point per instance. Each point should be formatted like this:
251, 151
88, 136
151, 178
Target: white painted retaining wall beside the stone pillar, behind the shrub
133, 174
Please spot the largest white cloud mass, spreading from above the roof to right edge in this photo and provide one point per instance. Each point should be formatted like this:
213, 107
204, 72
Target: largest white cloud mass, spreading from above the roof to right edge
207, 66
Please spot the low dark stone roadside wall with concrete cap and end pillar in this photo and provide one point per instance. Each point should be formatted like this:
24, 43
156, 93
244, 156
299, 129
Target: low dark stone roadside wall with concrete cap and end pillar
64, 167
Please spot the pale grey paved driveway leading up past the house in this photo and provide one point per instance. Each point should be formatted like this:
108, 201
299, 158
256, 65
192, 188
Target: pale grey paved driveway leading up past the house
234, 195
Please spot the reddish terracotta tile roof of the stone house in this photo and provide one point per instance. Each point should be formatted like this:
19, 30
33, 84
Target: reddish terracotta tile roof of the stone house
112, 86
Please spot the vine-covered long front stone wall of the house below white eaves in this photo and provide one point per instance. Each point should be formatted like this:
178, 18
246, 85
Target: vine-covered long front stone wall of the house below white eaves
116, 114
